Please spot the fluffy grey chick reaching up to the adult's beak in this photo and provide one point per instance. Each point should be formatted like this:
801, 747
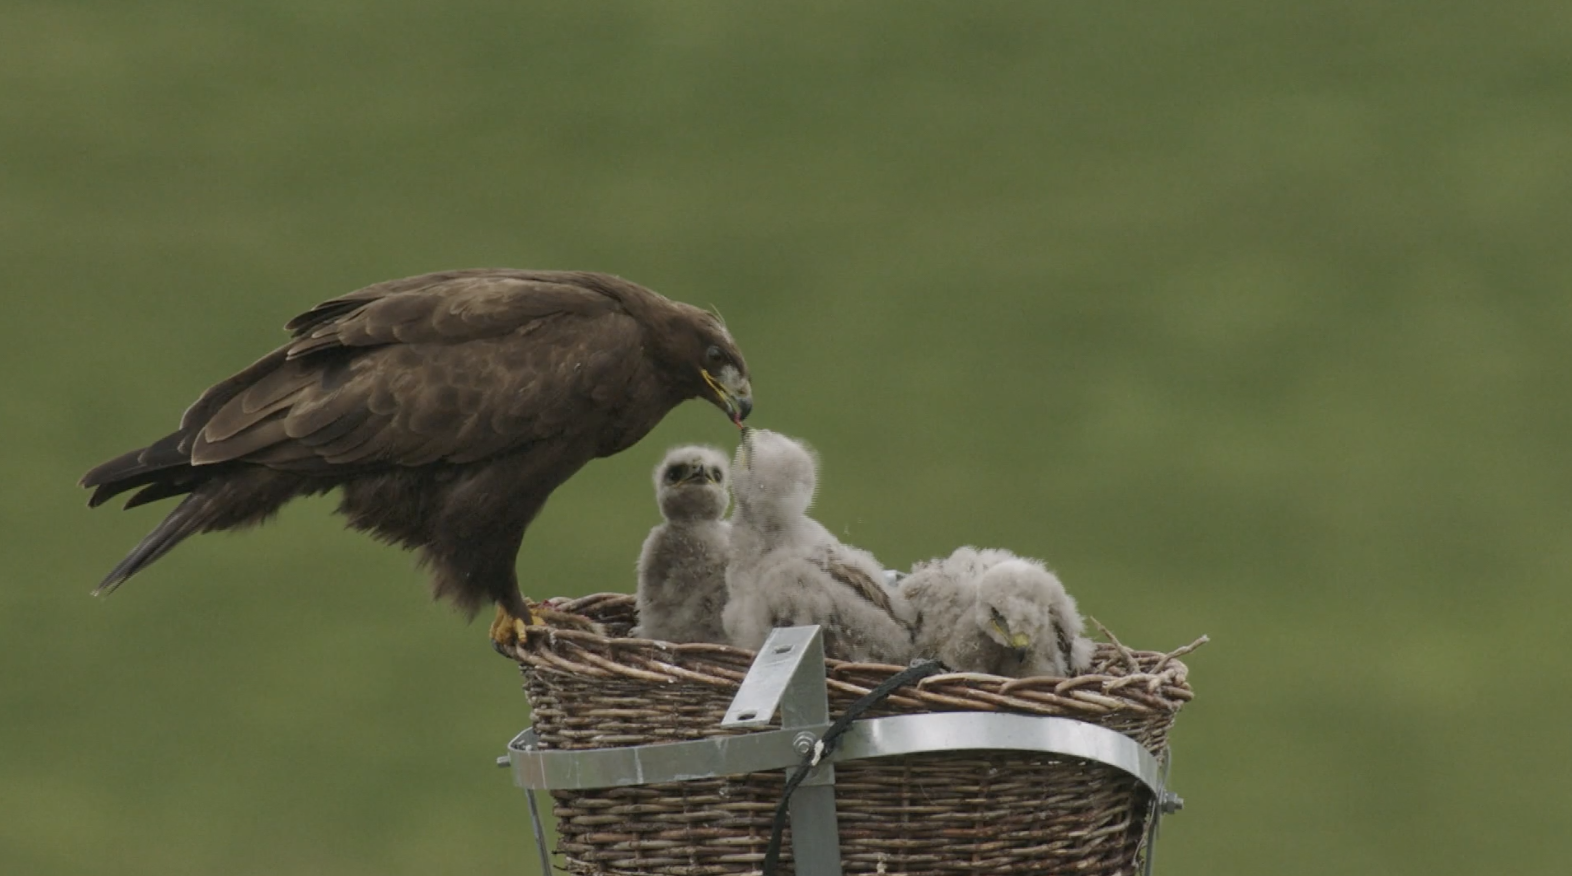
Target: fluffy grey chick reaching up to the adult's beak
787, 570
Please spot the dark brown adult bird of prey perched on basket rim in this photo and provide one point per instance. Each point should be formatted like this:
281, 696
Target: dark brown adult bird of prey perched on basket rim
447, 408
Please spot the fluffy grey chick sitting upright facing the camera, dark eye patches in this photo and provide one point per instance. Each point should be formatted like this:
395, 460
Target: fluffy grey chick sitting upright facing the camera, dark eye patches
683, 565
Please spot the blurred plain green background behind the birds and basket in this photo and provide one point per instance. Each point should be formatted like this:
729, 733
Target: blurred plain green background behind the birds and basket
1252, 320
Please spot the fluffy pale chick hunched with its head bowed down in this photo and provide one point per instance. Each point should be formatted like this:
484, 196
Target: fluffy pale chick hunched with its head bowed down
994, 613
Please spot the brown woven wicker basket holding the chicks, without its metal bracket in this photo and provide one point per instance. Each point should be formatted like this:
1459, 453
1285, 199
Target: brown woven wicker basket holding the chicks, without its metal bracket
922, 815
